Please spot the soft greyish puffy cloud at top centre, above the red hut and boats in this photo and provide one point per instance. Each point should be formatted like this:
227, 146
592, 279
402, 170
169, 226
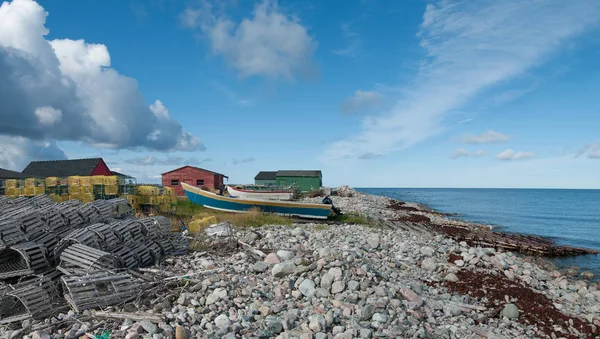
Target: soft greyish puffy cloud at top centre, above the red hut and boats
270, 43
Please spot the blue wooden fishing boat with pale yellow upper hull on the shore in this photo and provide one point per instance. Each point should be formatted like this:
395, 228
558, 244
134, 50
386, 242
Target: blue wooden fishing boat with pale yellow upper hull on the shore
238, 205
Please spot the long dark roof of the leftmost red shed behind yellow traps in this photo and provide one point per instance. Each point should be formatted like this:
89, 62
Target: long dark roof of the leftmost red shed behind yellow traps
62, 168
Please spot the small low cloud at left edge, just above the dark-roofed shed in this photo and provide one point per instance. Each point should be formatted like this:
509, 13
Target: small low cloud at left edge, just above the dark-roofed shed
16, 152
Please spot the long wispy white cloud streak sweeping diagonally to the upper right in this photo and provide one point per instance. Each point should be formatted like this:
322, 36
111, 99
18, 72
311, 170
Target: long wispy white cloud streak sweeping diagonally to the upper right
470, 46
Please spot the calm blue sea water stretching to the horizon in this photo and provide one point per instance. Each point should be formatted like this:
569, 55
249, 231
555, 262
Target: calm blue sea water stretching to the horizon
570, 217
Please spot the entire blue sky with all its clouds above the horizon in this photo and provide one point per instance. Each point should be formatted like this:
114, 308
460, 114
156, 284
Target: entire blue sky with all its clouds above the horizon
376, 93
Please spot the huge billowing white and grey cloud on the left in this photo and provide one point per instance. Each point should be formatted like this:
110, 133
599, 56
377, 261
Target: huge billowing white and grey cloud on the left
69, 85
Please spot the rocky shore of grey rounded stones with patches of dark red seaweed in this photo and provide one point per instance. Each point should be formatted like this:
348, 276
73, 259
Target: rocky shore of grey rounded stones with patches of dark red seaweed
397, 277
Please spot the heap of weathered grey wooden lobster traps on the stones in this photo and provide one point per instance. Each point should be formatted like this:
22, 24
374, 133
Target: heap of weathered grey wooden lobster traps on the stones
74, 254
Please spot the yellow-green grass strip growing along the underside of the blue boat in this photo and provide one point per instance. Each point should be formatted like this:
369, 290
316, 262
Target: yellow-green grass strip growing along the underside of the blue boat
185, 210
